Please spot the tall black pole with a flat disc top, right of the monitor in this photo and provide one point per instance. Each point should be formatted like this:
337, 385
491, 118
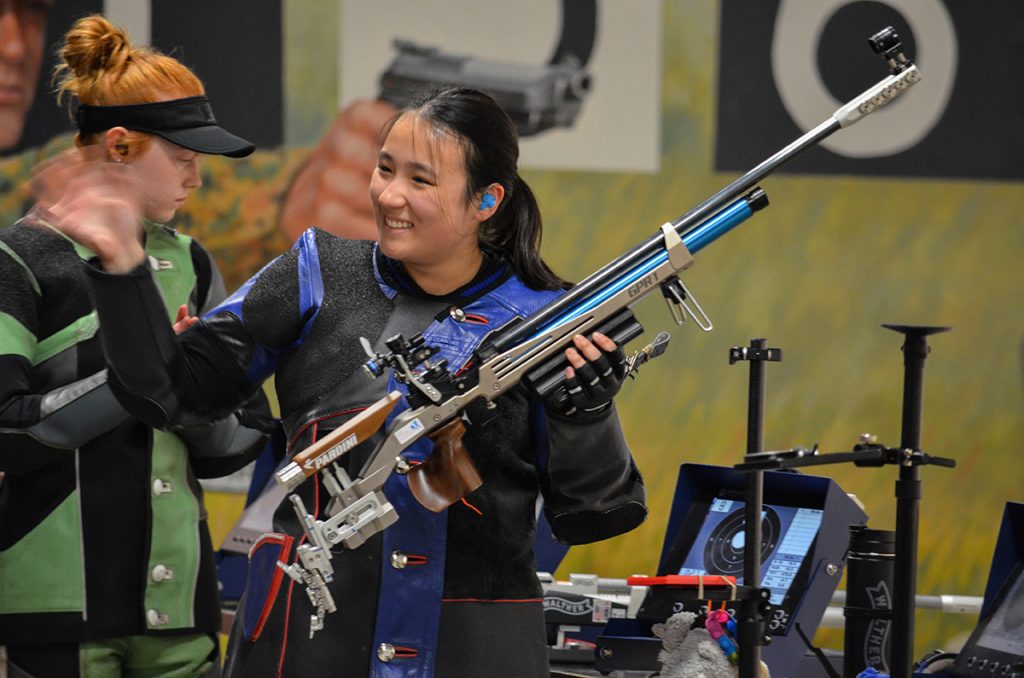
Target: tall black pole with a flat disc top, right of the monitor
909, 498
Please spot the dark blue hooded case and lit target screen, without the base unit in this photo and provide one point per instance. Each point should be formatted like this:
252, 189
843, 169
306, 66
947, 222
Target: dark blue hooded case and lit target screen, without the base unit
804, 534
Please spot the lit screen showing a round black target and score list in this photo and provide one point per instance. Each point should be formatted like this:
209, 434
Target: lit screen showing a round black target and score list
788, 535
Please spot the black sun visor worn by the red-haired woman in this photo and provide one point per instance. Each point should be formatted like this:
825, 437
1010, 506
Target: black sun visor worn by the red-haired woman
188, 122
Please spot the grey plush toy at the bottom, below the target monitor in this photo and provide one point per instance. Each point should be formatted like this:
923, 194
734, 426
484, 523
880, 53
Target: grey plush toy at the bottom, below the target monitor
690, 653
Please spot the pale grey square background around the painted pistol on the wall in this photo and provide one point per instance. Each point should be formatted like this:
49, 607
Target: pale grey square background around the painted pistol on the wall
619, 122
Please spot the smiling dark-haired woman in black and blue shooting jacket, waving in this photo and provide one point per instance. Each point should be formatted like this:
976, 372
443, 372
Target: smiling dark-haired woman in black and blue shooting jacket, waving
449, 595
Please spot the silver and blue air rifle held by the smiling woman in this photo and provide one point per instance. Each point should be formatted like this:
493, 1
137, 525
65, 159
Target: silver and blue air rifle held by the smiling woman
530, 352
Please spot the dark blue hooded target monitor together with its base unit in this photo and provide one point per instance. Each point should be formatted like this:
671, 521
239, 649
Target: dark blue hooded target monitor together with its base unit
806, 529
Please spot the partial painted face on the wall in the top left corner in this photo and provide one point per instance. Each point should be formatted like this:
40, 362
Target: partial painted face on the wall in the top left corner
23, 30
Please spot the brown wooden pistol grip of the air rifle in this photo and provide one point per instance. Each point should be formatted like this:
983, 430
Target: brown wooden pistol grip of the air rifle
449, 474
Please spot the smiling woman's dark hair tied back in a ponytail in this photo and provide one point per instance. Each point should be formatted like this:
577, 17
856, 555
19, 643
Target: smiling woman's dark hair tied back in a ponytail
492, 149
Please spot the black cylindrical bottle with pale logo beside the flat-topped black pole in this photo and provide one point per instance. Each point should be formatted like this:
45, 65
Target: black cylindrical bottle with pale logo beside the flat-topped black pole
870, 572
